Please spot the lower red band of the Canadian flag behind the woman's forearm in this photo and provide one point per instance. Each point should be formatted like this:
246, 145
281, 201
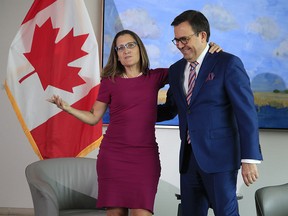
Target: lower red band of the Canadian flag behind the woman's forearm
65, 136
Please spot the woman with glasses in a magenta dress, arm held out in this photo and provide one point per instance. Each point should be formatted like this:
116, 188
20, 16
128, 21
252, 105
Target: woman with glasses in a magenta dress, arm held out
128, 164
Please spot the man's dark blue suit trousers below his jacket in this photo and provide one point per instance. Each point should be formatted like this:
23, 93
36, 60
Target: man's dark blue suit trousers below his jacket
200, 190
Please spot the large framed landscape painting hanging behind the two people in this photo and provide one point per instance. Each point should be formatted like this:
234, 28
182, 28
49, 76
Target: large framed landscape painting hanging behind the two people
258, 35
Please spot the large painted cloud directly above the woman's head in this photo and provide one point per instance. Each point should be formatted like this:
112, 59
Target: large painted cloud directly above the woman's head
139, 21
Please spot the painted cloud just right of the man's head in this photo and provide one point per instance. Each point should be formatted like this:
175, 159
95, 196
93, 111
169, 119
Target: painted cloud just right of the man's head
219, 18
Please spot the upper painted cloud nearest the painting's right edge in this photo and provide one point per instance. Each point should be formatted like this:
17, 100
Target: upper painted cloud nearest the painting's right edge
266, 27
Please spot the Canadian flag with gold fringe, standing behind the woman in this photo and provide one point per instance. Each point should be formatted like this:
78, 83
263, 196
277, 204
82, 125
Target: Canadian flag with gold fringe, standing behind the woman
55, 52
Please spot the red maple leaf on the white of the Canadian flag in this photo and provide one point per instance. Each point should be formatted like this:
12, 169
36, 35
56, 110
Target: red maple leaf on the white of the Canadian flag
50, 60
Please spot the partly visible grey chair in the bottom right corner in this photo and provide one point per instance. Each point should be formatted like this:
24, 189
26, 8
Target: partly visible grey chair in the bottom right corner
272, 200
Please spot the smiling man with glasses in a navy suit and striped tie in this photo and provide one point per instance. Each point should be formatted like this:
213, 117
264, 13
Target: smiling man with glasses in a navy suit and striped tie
217, 120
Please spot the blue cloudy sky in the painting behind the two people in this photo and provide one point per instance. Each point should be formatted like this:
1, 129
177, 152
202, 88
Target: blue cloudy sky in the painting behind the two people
255, 30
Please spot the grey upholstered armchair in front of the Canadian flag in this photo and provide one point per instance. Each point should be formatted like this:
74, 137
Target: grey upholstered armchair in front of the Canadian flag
64, 186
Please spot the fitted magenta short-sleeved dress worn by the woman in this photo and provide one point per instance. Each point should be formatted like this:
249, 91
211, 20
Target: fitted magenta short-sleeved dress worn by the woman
128, 164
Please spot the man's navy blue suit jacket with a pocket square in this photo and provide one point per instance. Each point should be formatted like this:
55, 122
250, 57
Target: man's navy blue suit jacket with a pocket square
221, 116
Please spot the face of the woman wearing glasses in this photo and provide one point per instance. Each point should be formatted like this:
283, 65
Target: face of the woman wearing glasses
128, 51
